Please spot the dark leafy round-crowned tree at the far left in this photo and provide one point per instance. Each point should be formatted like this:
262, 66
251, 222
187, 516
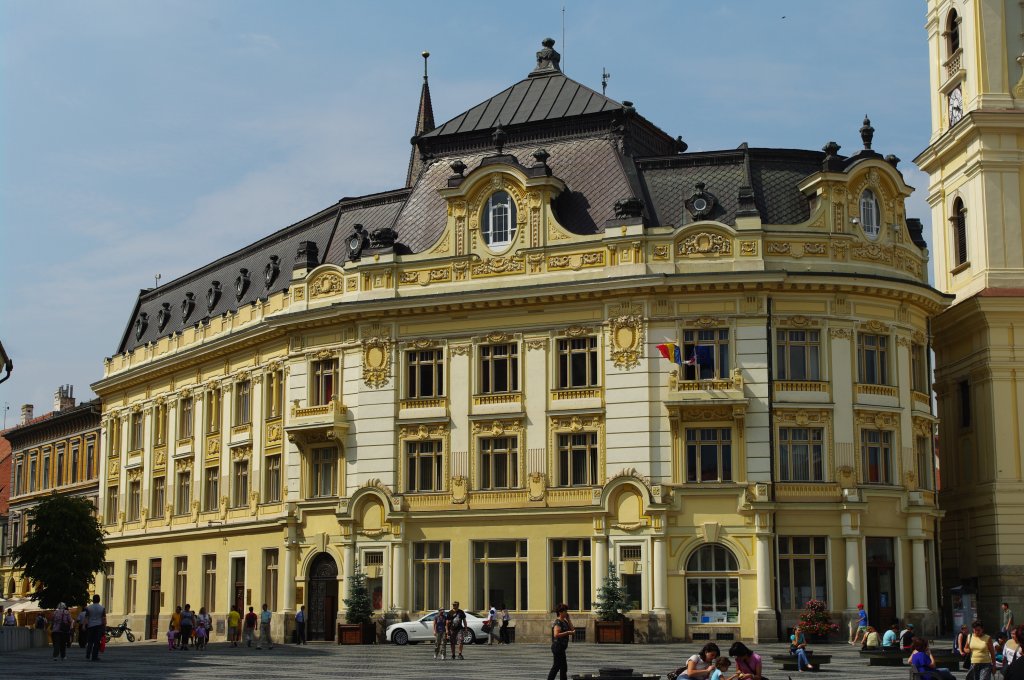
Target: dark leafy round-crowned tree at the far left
63, 550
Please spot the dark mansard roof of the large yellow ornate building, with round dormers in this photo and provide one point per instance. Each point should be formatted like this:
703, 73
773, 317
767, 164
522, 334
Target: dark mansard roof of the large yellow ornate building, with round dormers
604, 151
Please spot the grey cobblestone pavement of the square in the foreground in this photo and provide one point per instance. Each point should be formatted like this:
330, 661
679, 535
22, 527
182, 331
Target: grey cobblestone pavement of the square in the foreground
152, 661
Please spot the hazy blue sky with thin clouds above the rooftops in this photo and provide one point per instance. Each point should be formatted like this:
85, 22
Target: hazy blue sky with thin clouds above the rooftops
152, 138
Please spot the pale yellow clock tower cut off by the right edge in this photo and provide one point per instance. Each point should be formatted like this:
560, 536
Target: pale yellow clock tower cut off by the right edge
975, 160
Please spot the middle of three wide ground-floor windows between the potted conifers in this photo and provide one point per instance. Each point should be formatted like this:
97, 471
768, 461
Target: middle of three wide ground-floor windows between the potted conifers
501, 574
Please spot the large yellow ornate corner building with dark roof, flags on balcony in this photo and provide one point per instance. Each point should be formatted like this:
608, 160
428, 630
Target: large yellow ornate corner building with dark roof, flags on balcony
457, 387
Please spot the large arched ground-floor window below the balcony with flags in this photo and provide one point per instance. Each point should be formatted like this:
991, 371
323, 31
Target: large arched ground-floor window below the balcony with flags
712, 586
